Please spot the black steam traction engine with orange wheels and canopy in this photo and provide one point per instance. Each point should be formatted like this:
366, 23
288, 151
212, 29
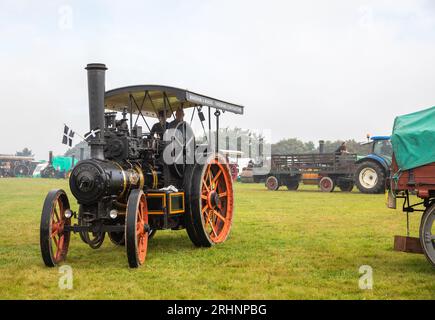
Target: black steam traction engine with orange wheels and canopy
128, 189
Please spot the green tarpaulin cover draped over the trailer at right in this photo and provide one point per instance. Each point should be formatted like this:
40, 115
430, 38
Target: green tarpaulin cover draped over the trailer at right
413, 139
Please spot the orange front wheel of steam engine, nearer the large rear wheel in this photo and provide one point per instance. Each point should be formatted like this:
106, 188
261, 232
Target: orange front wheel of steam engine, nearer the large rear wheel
136, 228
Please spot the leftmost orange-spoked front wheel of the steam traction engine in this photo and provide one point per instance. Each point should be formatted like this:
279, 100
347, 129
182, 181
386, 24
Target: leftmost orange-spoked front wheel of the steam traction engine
54, 240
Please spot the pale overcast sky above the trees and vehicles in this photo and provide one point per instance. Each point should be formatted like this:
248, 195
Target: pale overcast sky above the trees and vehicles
307, 69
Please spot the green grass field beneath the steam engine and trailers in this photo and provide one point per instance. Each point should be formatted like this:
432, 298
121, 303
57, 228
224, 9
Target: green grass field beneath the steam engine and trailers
283, 245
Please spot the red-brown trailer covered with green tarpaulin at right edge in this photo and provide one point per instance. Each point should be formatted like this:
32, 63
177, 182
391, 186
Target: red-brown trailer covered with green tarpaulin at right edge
413, 172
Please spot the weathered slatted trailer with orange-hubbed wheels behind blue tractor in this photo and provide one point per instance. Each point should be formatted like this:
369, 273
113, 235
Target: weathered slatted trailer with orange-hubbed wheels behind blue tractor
327, 170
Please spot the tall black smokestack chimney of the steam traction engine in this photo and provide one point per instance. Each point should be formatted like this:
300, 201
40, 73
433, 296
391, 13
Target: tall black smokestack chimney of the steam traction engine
96, 90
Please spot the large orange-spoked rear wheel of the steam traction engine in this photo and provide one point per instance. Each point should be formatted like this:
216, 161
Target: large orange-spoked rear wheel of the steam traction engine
211, 202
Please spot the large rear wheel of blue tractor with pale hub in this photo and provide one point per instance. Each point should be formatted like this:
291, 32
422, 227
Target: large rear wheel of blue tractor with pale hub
370, 177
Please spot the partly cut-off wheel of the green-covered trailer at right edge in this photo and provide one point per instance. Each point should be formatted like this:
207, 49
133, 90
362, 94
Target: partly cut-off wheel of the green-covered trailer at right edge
427, 234
